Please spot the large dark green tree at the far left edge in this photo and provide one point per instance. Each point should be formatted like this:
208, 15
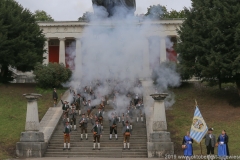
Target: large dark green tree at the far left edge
21, 40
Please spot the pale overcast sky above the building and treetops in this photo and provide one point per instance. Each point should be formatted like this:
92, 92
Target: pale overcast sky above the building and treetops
67, 10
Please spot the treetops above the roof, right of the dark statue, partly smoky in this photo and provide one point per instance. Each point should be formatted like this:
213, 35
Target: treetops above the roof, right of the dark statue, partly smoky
161, 12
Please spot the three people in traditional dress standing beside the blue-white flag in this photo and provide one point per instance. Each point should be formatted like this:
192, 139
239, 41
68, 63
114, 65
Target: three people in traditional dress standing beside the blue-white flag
211, 142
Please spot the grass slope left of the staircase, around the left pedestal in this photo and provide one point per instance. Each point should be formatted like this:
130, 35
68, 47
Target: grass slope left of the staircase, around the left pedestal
13, 108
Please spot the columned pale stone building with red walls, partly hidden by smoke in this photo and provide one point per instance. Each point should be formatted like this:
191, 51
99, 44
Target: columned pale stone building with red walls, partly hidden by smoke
68, 34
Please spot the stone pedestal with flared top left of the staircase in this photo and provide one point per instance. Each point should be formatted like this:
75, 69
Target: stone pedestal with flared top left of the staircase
31, 141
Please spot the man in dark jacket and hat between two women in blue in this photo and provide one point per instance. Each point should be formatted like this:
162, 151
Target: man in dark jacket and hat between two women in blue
210, 142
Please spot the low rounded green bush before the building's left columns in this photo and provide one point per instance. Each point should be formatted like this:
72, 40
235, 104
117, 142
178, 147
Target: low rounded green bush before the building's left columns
51, 75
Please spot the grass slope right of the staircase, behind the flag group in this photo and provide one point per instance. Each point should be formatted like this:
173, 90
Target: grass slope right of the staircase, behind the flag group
220, 109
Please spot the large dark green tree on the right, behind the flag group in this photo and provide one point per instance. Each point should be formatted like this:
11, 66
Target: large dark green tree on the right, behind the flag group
209, 41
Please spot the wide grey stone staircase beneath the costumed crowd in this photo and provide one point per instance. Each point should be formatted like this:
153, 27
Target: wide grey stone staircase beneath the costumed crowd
109, 148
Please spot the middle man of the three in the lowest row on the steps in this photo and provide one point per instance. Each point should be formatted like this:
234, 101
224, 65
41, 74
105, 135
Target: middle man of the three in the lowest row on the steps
97, 133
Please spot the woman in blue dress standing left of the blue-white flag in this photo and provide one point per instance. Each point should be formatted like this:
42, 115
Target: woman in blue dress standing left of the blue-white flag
187, 146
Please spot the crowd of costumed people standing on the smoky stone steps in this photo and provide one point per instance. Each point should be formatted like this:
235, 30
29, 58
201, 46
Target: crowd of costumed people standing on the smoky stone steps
89, 103
